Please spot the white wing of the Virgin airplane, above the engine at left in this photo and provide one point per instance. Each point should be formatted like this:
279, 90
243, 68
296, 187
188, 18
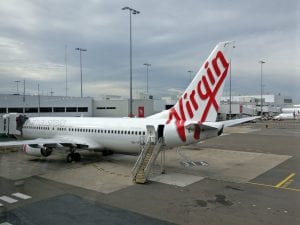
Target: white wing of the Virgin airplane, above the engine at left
58, 142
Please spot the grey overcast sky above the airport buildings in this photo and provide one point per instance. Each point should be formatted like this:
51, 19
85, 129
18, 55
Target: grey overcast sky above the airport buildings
173, 36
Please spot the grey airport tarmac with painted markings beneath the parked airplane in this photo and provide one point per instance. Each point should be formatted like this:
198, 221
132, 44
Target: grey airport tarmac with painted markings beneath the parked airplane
249, 175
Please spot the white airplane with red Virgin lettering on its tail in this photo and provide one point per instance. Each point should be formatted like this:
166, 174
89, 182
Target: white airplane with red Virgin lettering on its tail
192, 119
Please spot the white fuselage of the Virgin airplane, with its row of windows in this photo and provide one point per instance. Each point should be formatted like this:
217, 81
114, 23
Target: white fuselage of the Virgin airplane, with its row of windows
117, 134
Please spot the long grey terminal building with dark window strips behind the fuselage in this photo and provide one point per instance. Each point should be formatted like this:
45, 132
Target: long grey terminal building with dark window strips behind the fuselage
109, 106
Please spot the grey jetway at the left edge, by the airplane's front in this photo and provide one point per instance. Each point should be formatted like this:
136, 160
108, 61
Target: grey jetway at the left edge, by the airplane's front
12, 123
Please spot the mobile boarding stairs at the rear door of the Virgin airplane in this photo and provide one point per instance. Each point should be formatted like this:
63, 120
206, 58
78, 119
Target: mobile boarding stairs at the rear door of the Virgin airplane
146, 159
